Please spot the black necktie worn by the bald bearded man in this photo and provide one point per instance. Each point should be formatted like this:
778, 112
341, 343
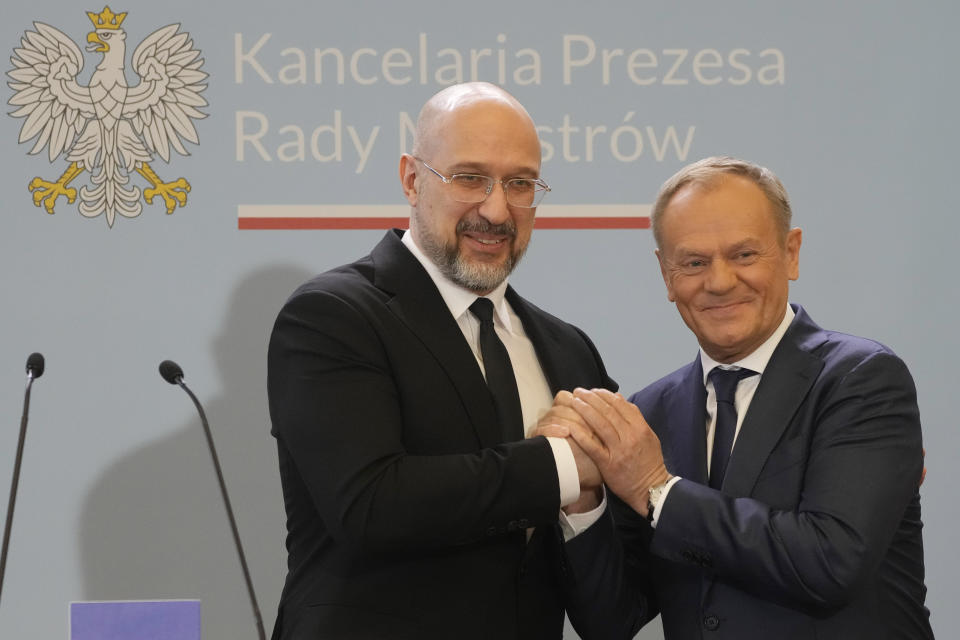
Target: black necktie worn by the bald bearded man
500, 379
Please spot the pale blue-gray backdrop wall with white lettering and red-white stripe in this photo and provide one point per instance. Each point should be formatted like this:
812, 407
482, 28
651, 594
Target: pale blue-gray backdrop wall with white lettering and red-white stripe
853, 104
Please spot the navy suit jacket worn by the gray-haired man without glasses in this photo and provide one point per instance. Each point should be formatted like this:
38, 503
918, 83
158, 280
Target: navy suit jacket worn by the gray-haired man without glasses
816, 532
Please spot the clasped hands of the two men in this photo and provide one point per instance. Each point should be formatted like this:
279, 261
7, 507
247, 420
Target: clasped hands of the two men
611, 444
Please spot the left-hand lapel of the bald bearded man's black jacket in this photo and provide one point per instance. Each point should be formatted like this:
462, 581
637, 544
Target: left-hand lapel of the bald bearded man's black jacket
417, 304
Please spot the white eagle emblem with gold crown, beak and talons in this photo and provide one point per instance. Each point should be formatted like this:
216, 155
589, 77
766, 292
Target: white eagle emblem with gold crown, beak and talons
108, 128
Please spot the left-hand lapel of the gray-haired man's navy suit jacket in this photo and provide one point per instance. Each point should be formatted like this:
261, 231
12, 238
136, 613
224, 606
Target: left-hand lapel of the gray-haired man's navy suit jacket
685, 416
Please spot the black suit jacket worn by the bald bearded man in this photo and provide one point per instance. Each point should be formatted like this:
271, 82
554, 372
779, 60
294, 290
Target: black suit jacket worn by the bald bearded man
406, 513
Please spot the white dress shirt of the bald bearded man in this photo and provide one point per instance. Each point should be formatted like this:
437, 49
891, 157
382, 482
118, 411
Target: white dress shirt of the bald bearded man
535, 395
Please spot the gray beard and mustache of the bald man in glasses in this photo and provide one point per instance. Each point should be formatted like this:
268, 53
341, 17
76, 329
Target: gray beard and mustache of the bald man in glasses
476, 277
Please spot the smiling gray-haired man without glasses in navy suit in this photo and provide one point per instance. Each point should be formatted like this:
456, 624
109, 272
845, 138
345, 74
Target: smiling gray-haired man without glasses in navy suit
768, 489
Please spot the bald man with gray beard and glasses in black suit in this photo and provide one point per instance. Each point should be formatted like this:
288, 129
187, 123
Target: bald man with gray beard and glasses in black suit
402, 388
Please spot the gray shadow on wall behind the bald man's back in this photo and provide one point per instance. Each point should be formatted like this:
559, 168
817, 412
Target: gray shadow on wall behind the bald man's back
154, 525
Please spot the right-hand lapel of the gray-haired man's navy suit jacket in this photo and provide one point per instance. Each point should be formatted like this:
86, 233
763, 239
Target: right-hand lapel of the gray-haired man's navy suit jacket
791, 372
